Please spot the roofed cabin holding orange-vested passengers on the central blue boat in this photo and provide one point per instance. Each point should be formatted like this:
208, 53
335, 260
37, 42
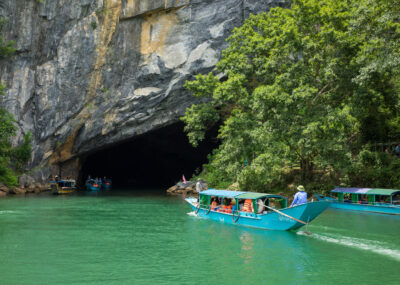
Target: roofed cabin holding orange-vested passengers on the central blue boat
250, 203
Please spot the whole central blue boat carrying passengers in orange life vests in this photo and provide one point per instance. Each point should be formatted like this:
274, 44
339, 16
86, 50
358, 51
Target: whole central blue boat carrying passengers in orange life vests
264, 214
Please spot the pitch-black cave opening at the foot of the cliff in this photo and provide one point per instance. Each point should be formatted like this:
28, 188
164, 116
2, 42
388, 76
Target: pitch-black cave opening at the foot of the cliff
152, 160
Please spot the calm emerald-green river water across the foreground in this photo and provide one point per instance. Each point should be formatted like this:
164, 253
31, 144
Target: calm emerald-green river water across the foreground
145, 237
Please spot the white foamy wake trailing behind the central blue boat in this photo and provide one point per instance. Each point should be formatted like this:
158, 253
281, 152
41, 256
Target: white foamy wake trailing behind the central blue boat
363, 244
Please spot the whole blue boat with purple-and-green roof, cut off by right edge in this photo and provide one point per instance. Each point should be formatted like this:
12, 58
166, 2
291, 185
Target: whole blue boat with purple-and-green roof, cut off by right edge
377, 200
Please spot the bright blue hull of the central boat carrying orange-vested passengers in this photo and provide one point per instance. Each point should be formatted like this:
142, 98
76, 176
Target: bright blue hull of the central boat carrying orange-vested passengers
271, 220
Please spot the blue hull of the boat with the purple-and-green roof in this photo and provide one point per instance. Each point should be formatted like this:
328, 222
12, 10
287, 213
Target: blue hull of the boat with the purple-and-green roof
392, 210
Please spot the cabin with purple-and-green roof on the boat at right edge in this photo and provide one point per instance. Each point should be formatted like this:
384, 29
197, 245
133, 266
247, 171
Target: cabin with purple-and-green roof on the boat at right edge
370, 196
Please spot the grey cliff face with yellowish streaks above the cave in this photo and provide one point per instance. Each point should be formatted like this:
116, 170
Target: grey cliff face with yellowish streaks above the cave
91, 73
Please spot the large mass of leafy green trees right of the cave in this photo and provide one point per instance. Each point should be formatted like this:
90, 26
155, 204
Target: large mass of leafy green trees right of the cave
305, 90
